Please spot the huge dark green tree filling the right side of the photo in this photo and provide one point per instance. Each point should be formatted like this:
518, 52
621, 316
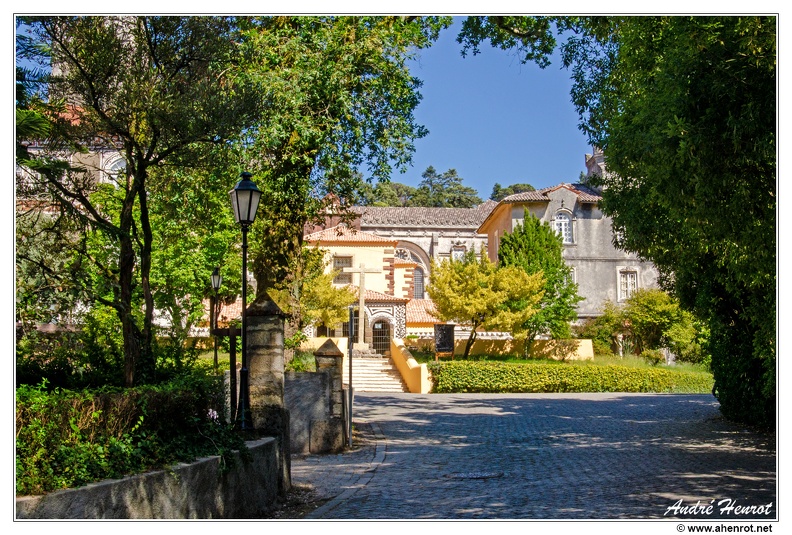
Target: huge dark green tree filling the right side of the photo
684, 109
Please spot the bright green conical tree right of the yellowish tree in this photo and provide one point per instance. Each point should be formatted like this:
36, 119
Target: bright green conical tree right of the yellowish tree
536, 248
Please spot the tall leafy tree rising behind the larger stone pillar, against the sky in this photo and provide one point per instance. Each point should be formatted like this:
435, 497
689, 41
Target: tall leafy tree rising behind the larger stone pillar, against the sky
339, 96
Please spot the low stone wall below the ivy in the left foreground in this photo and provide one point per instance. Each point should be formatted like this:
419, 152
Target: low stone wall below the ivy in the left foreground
204, 489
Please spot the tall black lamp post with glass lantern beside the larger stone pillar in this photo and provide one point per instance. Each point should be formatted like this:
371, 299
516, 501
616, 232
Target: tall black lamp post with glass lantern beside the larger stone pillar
244, 199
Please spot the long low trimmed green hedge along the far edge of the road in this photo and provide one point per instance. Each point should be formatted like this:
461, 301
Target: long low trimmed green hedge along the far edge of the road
466, 376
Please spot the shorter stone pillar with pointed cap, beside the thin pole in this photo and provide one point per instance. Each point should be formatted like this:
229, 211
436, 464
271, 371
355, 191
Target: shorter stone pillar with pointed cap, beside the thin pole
328, 435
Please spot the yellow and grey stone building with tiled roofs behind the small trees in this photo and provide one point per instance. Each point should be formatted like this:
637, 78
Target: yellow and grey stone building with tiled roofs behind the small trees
396, 246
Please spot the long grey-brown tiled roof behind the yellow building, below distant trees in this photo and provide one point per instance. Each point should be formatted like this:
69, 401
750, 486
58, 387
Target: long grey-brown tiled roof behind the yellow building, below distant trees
412, 216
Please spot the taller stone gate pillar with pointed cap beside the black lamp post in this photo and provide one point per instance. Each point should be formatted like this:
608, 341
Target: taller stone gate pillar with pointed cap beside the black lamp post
265, 355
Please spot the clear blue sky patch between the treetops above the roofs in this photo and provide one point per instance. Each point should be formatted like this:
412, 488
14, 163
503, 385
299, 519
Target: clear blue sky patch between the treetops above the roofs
494, 119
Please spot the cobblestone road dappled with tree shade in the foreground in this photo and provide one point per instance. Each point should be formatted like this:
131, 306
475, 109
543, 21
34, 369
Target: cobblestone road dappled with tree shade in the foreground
543, 456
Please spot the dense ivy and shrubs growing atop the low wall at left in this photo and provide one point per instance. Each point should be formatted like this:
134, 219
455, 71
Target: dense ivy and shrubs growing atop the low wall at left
71, 438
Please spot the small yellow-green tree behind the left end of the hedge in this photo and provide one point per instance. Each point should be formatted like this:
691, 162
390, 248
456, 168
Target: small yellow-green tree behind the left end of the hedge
476, 292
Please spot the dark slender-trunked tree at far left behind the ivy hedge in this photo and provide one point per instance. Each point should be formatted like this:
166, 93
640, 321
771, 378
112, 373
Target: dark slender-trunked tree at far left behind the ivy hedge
152, 89
